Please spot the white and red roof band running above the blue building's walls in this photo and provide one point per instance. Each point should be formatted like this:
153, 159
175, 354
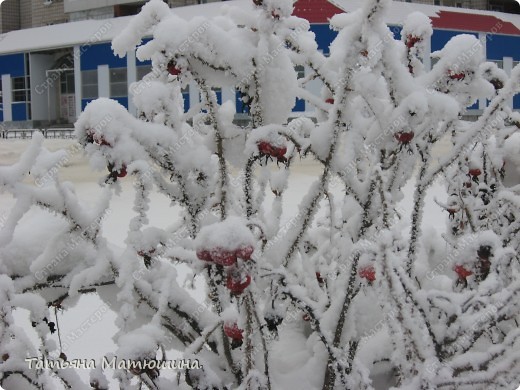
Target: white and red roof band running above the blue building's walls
316, 11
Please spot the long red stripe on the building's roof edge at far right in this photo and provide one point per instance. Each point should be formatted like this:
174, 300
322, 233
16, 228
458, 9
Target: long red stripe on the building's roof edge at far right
473, 22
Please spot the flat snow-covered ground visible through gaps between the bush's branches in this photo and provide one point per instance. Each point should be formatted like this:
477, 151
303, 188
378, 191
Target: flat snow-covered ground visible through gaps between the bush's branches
95, 339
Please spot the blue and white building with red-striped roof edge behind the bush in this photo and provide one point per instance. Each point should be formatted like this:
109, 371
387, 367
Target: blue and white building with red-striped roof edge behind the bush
49, 74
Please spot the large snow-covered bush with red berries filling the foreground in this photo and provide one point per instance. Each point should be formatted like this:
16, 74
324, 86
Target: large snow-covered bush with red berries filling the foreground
344, 293
